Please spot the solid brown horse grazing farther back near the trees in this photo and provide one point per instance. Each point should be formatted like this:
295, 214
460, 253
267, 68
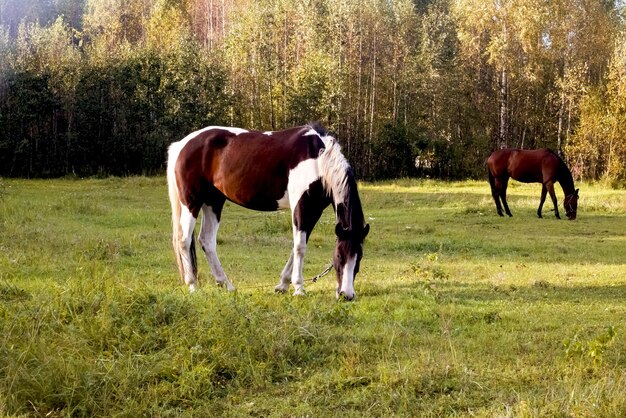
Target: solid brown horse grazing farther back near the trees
532, 166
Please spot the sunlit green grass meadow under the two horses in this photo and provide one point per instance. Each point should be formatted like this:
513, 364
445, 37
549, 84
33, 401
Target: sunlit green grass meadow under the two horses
458, 313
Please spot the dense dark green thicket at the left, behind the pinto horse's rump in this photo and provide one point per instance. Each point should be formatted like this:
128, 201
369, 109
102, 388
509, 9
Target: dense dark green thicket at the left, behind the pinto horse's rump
114, 116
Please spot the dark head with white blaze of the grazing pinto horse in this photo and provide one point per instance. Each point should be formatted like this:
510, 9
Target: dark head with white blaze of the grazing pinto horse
347, 258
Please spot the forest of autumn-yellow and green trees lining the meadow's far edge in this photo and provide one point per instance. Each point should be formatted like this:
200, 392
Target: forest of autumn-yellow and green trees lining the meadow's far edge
423, 87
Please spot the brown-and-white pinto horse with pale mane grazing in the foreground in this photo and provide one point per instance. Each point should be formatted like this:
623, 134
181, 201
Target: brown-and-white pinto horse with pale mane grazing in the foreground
300, 168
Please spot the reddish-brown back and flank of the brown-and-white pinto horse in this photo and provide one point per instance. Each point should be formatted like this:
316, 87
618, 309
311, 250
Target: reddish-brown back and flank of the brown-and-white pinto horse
250, 168
